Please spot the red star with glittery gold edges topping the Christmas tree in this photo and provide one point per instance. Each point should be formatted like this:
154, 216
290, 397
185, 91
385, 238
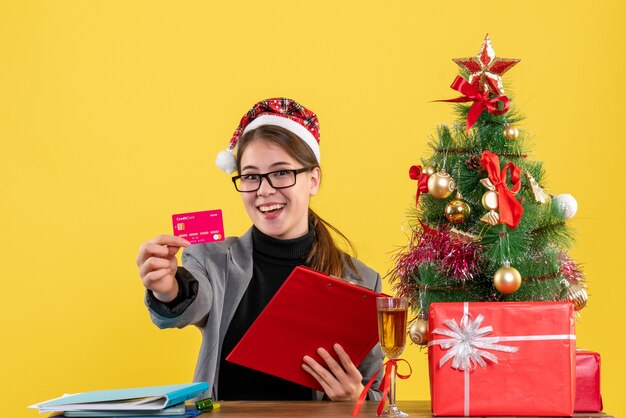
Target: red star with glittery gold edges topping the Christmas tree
485, 69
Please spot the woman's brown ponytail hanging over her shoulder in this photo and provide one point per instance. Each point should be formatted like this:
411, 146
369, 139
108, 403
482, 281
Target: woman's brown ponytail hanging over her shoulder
325, 256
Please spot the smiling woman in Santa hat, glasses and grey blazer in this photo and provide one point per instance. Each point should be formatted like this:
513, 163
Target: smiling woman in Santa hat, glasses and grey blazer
222, 287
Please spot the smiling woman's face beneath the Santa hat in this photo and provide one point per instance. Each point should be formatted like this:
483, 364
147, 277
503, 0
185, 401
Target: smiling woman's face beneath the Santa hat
279, 213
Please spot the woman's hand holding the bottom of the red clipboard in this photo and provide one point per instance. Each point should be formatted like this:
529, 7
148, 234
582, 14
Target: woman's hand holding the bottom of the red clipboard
341, 382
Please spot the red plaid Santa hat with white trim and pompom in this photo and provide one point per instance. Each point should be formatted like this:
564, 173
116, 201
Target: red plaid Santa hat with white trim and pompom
282, 112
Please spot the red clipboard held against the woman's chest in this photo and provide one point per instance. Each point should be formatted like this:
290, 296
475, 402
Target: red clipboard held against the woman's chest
310, 310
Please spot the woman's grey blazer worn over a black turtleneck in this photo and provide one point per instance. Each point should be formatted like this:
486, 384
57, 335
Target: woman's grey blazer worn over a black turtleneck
223, 271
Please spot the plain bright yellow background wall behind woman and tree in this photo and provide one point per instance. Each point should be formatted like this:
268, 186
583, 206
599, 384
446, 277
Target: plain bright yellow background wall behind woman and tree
111, 114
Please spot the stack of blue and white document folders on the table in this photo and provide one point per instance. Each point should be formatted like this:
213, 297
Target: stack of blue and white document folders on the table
154, 401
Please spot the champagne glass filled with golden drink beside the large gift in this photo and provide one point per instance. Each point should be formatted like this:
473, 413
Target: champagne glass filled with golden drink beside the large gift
392, 334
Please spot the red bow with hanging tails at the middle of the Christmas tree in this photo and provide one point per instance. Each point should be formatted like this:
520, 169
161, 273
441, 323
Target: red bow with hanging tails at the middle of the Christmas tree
511, 210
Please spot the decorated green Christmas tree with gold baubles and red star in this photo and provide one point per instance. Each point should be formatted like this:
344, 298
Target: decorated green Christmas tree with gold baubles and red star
483, 228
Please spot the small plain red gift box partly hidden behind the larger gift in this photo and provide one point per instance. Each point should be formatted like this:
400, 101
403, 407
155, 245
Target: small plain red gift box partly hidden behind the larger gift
588, 398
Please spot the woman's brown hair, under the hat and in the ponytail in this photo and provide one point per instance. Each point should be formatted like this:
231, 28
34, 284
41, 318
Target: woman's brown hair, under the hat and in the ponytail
325, 256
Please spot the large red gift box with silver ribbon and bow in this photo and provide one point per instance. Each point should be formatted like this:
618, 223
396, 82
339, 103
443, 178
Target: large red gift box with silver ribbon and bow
503, 358
